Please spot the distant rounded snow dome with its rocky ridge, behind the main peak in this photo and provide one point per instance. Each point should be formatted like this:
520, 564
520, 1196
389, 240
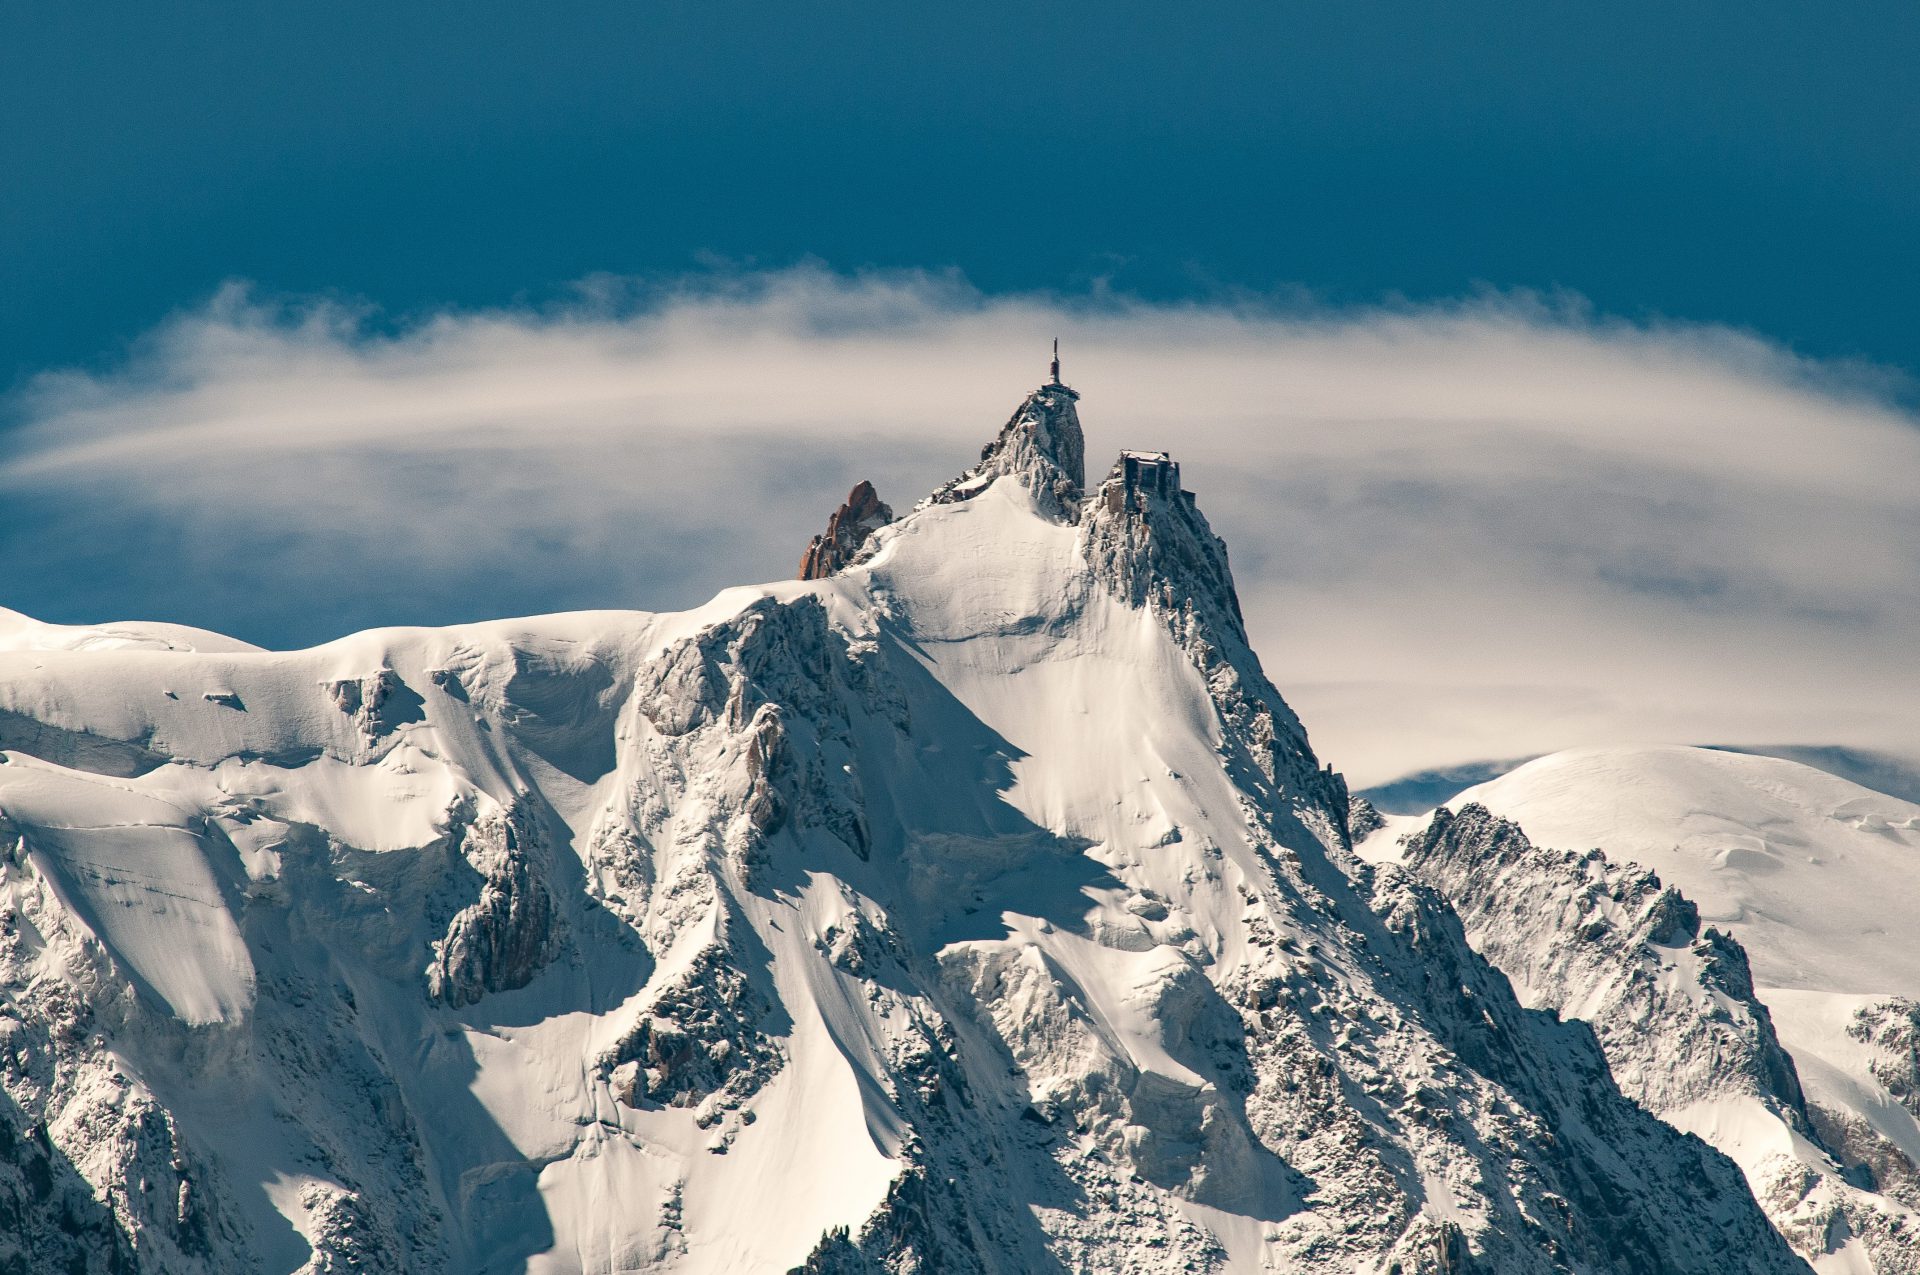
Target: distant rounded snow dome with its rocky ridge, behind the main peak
1740, 948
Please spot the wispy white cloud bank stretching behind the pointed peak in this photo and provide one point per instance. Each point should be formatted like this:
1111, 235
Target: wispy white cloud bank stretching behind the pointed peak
1477, 531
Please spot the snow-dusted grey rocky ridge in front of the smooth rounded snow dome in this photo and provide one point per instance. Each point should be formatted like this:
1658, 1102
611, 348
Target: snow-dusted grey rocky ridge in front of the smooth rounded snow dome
1675, 1011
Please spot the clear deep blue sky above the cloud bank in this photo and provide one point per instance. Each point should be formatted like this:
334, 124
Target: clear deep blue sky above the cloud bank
1754, 164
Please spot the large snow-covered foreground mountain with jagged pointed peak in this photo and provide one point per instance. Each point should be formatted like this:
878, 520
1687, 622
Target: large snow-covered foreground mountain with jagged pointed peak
980, 907
